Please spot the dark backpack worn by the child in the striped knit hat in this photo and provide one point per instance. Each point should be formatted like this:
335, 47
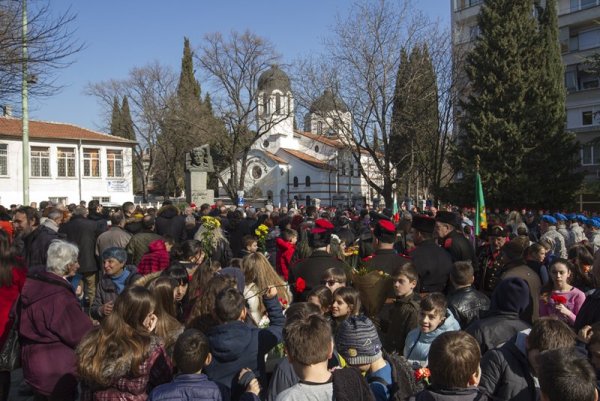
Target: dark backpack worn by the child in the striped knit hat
403, 384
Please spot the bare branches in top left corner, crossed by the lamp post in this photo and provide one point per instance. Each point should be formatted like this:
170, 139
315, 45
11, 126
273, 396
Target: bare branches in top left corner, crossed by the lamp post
50, 42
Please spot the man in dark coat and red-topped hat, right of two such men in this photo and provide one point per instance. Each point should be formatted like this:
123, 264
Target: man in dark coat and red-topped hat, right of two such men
384, 258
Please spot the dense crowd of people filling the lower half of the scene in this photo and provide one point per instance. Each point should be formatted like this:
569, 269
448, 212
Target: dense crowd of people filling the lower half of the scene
220, 302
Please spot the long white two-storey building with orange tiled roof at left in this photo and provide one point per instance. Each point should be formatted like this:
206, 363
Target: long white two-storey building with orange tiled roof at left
67, 164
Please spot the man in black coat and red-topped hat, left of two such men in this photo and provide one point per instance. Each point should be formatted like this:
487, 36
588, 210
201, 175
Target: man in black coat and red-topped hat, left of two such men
306, 273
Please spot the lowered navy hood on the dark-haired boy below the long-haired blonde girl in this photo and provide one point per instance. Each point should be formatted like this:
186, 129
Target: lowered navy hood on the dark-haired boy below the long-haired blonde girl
228, 341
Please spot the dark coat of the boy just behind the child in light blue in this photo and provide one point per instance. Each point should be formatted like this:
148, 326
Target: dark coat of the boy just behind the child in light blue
397, 318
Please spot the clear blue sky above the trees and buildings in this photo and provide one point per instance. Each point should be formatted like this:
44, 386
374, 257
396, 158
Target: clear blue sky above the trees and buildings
122, 34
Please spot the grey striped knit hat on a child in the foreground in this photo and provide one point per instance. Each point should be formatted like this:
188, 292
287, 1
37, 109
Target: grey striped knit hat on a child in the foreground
357, 341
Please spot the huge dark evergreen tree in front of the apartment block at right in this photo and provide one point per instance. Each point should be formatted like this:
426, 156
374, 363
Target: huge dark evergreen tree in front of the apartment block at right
514, 113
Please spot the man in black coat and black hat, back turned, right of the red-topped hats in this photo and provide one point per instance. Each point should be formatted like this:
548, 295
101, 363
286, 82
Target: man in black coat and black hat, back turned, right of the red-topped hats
433, 264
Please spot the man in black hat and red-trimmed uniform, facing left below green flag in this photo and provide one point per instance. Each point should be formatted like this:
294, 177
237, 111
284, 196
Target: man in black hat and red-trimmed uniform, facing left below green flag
447, 231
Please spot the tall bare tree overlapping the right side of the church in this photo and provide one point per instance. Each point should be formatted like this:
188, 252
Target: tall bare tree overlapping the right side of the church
360, 65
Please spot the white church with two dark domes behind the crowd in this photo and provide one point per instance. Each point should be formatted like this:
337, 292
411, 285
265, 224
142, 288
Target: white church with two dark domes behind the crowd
305, 167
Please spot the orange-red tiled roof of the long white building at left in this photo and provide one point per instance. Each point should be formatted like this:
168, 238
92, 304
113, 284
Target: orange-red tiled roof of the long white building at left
49, 130
